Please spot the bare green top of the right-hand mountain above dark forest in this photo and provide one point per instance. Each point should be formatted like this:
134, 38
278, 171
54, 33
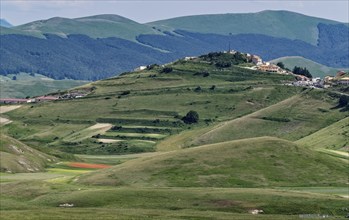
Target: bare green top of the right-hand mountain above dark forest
272, 23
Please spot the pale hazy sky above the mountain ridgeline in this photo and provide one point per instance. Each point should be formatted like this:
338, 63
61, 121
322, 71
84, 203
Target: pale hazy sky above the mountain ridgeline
24, 11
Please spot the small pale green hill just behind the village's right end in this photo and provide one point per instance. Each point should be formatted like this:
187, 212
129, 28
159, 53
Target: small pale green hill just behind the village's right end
316, 69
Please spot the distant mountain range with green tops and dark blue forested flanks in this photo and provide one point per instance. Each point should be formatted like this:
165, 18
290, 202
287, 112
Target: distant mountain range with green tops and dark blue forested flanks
96, 47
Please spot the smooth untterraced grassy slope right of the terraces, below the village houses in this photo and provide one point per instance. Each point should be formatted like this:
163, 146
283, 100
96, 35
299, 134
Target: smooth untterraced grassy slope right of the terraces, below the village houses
291, 119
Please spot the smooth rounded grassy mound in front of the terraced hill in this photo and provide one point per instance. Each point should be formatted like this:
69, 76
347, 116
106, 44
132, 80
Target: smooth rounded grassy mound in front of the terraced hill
255, 162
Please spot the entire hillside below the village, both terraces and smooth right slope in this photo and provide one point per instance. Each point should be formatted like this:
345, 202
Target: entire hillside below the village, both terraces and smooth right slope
145, 110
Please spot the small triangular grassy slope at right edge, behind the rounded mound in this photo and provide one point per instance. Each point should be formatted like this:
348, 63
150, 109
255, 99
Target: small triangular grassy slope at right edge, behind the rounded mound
335, 137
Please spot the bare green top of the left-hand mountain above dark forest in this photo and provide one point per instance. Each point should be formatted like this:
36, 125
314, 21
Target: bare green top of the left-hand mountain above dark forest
99, 26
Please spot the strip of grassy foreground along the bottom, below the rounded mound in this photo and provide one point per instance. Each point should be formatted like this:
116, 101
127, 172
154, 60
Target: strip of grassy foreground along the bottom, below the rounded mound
194, 202
